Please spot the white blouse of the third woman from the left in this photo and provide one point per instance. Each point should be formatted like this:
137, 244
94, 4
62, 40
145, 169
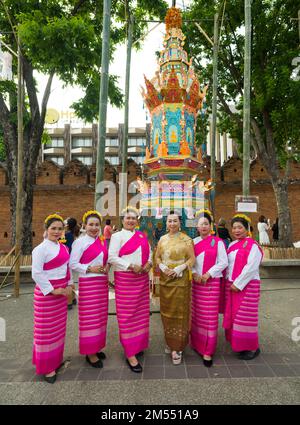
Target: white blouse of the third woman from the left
122, 263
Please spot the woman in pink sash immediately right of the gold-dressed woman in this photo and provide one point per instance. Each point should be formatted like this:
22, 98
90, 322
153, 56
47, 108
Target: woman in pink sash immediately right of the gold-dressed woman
211, 260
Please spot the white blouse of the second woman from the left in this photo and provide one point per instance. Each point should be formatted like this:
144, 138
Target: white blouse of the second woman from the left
78, 248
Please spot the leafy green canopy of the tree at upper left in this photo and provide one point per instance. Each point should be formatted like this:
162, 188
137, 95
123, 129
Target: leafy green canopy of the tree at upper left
64, 37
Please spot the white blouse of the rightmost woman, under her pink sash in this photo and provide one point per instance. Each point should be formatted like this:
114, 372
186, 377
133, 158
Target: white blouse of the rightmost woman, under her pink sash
251, 269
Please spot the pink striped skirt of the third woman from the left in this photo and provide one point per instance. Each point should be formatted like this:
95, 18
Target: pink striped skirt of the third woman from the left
133, 309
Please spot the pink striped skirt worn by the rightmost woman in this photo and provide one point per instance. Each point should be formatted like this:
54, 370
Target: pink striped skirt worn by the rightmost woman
241, 316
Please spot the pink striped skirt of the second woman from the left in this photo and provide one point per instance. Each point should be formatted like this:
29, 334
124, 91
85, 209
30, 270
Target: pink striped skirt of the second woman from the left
92, 313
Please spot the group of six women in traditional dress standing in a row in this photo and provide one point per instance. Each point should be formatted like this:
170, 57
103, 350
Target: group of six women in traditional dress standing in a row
193, 275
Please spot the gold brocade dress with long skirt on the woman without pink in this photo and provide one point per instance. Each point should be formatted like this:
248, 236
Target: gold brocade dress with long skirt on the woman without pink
175, 293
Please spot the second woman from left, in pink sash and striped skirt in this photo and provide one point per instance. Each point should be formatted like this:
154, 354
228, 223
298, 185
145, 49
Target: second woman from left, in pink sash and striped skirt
89, 258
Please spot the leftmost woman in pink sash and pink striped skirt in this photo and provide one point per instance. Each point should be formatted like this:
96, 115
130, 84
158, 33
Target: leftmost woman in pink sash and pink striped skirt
50, 272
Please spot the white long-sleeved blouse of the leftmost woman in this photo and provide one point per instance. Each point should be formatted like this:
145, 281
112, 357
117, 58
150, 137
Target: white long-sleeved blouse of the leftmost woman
42, 254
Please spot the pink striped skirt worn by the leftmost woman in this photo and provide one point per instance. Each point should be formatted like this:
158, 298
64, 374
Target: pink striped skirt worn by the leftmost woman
50, 320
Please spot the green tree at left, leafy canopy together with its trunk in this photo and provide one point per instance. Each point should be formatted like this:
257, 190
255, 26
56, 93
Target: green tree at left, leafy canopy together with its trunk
63, 38
